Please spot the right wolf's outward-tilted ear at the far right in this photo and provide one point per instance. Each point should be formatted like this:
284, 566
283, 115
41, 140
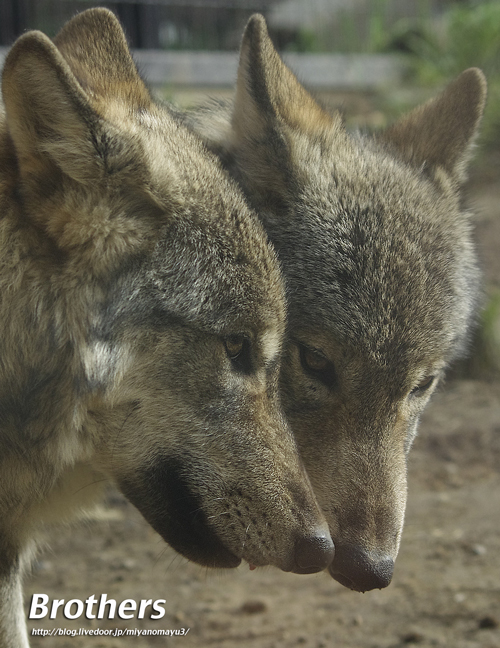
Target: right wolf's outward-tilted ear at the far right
441, 132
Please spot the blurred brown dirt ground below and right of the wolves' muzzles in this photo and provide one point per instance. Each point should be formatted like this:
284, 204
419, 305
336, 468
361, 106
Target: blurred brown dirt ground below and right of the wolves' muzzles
446, 587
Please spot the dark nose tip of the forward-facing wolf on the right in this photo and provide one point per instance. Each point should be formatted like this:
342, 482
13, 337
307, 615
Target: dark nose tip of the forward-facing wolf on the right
361, 570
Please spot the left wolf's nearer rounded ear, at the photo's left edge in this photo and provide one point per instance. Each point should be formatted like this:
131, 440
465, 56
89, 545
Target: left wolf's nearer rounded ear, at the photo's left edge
49, 116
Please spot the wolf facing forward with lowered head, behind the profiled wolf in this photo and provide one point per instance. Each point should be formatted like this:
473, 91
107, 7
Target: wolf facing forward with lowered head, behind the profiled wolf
381, 276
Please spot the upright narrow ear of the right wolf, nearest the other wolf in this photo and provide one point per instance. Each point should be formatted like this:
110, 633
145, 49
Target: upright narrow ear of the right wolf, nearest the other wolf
267, 89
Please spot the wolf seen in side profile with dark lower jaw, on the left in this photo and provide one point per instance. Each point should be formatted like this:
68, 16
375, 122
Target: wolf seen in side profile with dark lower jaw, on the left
142, 312
